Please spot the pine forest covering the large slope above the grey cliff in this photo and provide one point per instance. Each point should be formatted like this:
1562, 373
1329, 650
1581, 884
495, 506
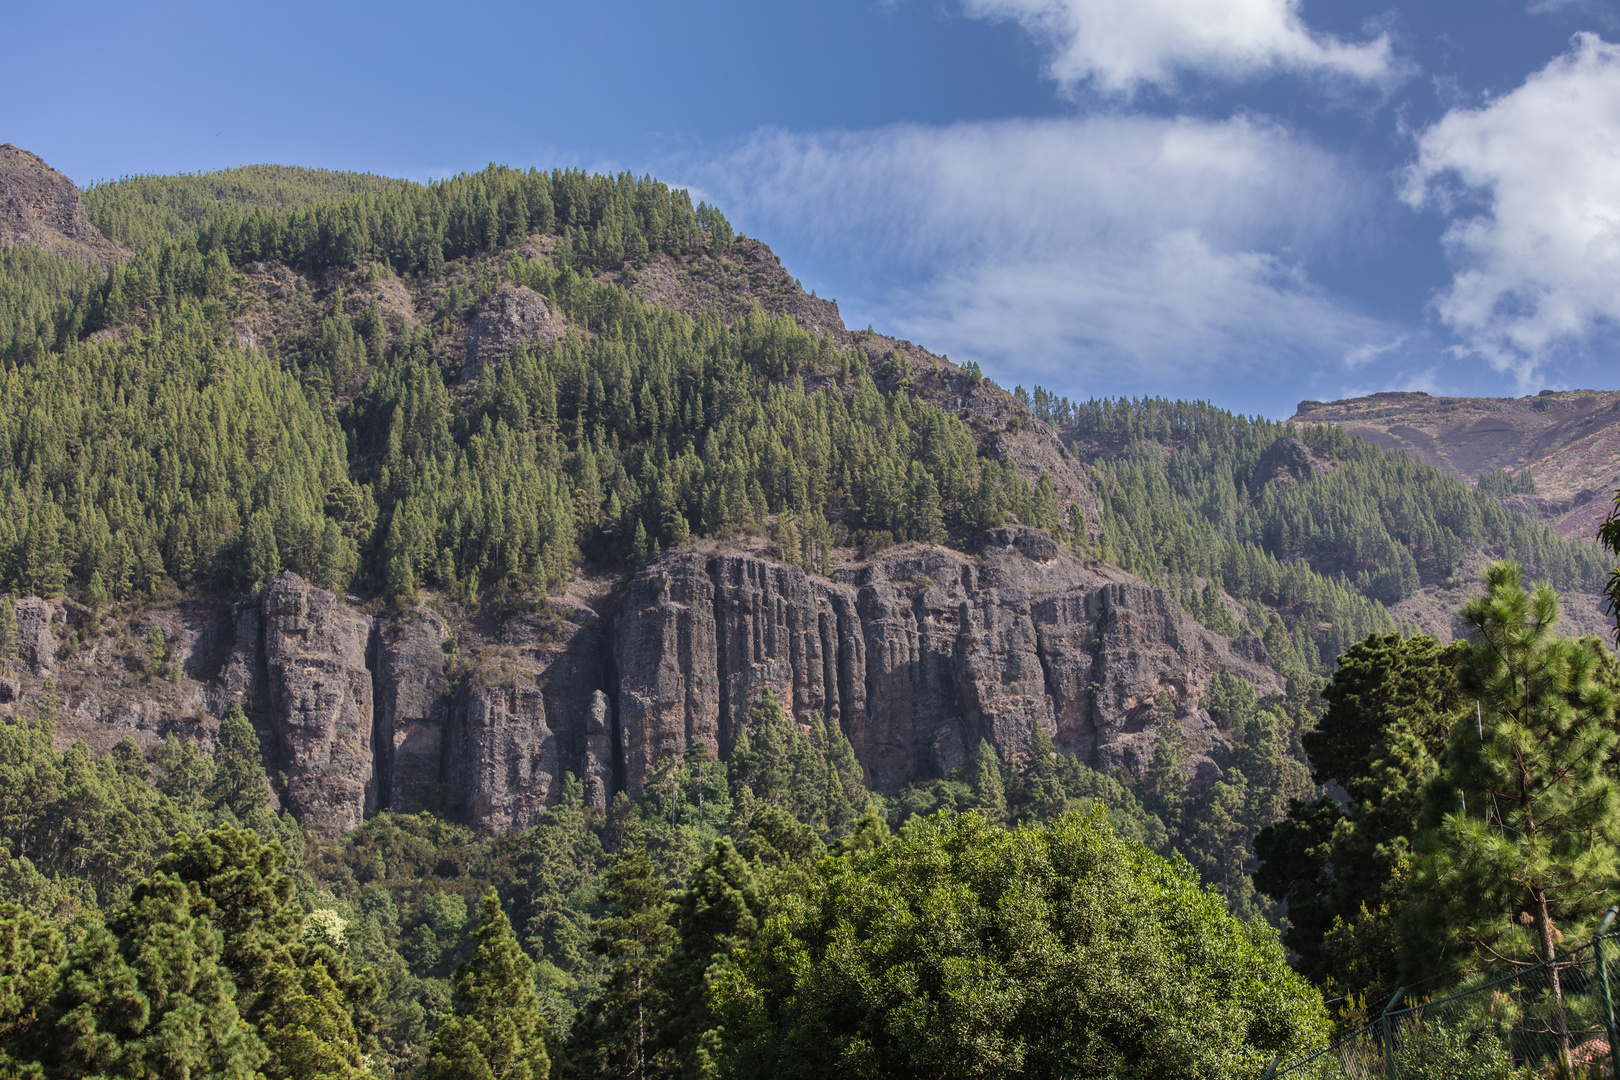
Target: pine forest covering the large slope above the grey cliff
147, 443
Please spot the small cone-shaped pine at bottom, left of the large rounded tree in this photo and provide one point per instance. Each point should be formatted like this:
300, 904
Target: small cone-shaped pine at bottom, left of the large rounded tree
497, 1031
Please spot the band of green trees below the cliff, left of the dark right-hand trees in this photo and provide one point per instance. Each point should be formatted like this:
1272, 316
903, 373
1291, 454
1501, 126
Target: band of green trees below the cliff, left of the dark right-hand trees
153, 935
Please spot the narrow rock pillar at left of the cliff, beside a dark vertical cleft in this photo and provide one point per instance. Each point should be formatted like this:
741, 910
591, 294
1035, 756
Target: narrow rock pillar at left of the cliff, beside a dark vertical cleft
320, 704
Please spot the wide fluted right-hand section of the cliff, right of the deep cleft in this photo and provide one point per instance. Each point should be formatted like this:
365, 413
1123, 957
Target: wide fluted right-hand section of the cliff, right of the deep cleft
919, 657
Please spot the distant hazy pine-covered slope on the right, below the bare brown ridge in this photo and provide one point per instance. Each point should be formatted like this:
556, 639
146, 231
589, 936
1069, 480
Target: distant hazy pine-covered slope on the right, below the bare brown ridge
1185, 500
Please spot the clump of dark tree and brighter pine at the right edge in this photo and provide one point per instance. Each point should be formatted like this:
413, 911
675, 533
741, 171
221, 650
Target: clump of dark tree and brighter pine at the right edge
1478, 820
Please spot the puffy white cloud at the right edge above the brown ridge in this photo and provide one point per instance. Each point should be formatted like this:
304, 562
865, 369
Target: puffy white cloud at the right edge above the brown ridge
1533, 185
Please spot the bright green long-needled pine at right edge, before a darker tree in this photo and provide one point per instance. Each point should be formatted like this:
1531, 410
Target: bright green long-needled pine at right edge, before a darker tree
1525, 815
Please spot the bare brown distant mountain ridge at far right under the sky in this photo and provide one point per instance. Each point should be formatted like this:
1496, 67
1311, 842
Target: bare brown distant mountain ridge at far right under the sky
1554, 456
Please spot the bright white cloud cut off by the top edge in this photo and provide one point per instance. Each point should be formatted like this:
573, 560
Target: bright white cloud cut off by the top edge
1120, 46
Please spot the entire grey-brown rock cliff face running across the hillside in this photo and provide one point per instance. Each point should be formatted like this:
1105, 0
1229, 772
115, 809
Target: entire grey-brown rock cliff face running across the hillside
918, 655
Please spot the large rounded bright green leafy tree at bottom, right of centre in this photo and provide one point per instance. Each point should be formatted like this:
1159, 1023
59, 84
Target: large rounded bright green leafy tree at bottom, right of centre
965, 951
